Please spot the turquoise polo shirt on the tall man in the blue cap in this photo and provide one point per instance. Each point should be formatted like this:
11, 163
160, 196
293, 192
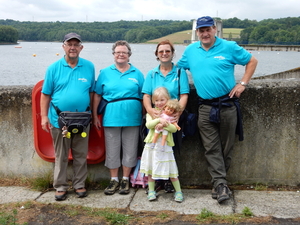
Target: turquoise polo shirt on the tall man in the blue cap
213, 70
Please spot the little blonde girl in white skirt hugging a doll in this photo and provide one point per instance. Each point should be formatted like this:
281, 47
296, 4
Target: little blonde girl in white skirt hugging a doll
157, 164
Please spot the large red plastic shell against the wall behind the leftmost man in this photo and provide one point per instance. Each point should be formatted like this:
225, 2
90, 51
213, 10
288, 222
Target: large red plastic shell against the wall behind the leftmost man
43, 140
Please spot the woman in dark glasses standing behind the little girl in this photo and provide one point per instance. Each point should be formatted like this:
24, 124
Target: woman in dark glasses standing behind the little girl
175, 80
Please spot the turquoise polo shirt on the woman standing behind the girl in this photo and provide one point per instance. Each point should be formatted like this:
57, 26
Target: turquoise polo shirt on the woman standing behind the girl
155, 79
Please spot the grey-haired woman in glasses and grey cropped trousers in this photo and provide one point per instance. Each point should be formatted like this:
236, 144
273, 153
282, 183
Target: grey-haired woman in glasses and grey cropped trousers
121, 119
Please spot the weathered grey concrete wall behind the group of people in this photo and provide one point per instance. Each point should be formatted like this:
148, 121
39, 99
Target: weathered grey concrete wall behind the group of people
269, 154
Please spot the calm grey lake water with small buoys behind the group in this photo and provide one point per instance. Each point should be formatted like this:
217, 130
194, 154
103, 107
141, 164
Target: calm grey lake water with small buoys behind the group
19, 66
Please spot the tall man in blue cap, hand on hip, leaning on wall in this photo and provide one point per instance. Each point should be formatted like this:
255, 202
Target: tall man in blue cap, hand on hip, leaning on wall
211, 62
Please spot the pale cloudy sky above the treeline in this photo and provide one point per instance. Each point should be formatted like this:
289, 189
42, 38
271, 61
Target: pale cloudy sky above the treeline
141, 10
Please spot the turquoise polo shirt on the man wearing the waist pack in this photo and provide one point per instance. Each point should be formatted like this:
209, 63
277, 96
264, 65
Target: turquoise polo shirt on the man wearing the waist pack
69, 87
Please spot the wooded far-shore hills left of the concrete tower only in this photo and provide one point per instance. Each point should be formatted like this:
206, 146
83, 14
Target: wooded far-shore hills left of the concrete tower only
132, 31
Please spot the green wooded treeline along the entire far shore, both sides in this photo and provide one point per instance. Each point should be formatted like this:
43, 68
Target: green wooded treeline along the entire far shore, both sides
269, 31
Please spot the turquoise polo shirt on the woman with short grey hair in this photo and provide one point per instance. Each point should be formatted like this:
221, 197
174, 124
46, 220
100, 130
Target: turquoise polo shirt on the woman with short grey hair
112, 84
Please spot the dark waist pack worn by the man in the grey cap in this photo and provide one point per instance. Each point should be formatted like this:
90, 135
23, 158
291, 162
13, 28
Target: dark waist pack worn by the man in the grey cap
75, 122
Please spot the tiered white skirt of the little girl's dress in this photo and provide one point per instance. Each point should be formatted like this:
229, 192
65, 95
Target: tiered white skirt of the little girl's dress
159, 163
